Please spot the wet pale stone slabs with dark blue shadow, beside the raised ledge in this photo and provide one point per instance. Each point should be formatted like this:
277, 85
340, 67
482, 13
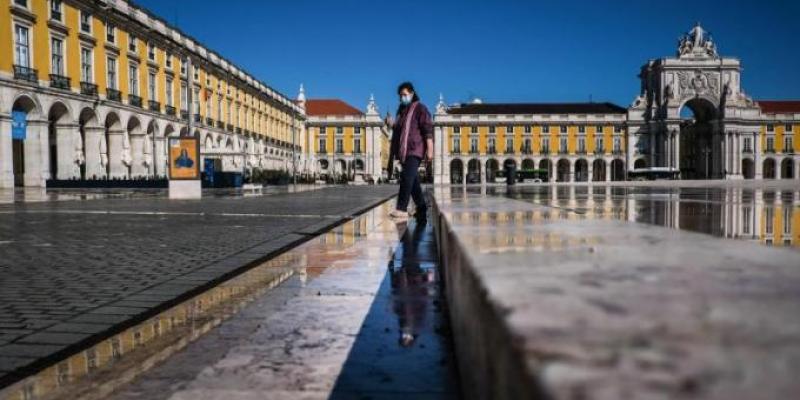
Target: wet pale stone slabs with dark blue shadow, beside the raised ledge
361, 317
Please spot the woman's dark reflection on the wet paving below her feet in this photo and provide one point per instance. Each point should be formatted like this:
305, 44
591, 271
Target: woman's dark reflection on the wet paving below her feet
410, 285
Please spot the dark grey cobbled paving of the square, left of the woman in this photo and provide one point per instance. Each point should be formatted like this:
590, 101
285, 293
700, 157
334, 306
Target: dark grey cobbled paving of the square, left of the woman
73, 271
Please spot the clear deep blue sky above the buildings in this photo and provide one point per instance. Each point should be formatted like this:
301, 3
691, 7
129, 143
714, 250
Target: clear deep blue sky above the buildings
500, 51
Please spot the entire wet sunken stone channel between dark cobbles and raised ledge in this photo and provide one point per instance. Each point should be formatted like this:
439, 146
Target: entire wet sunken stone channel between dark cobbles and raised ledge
341, 271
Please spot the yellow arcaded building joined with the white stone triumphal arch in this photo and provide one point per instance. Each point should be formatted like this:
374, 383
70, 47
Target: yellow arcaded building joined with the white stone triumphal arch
691, 116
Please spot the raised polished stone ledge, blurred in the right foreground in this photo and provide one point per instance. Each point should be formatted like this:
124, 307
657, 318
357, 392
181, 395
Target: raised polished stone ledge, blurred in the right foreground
566, 308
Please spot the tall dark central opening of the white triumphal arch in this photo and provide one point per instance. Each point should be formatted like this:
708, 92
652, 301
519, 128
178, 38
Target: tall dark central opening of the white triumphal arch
700, 148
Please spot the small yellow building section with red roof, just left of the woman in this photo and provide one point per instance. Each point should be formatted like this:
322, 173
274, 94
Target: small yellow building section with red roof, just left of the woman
344, 143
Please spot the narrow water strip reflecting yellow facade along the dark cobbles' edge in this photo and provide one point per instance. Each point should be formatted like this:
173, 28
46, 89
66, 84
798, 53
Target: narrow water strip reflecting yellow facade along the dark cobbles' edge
98, 370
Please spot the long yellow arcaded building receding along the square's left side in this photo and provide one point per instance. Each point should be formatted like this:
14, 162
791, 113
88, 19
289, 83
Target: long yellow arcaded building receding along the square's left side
92, 89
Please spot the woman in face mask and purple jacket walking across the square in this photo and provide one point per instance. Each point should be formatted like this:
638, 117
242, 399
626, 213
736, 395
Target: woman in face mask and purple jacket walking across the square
412, 142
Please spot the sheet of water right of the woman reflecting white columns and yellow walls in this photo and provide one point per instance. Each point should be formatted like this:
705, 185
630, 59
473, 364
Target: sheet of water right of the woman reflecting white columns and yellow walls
765, 215
